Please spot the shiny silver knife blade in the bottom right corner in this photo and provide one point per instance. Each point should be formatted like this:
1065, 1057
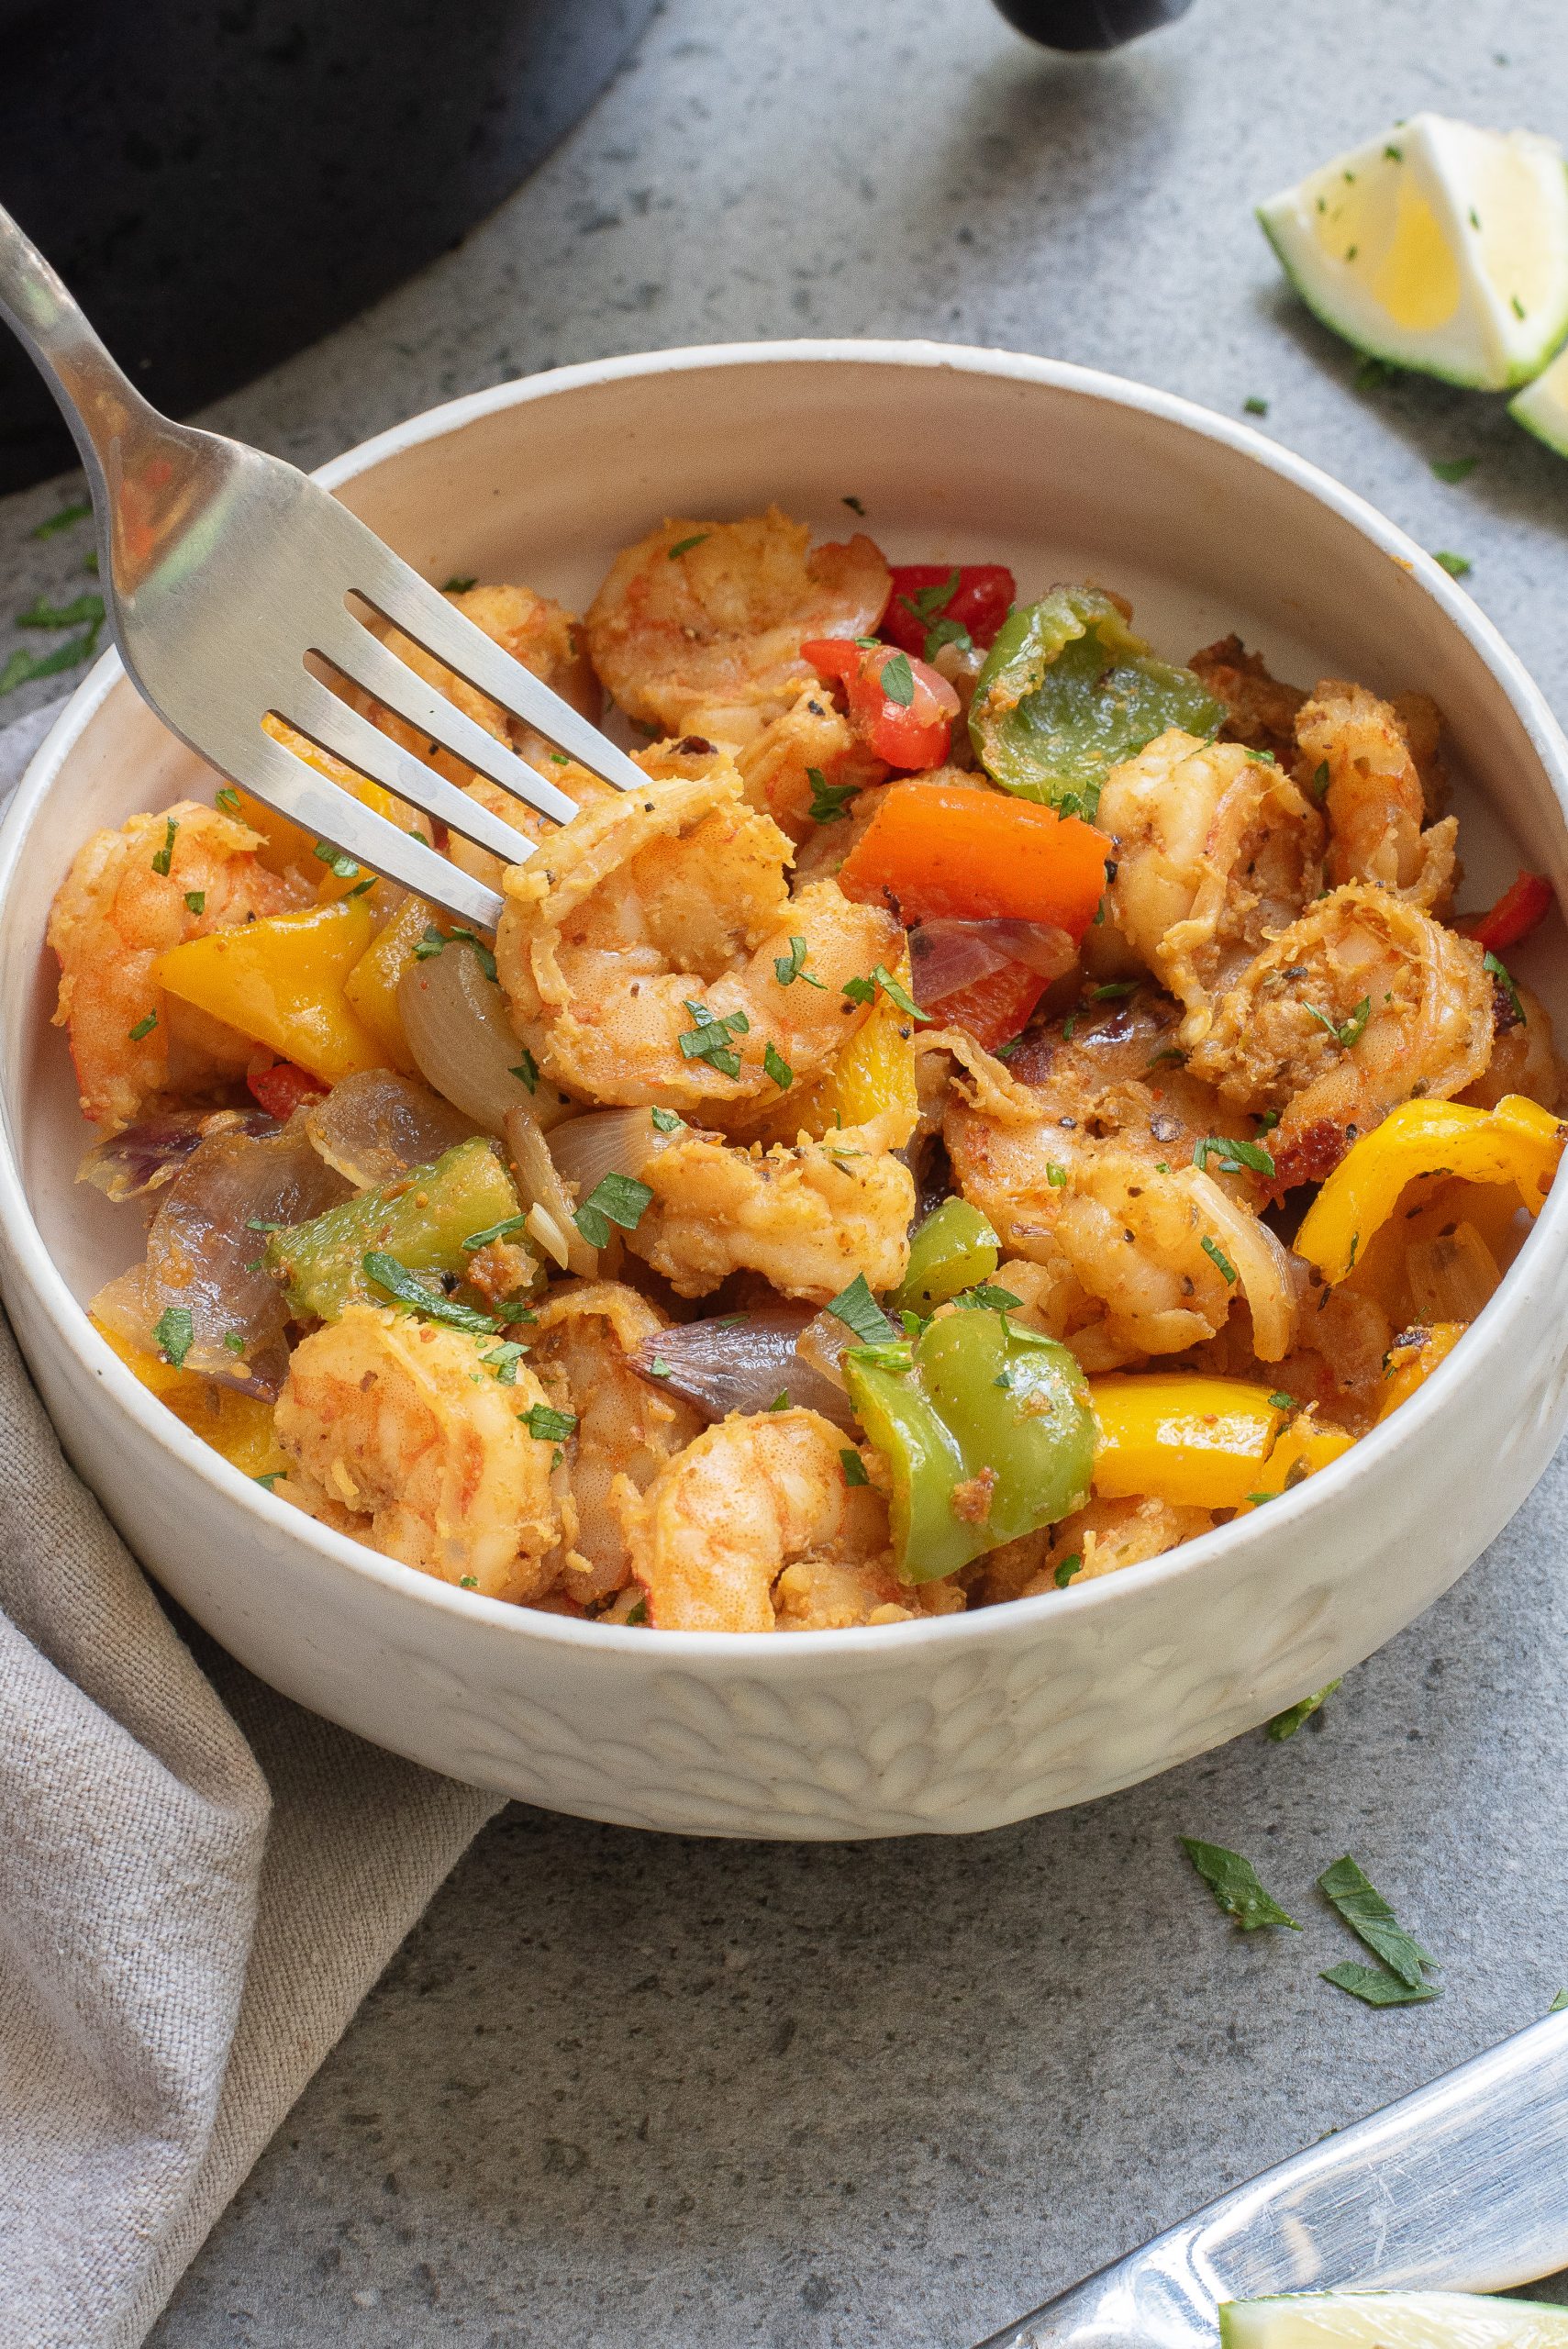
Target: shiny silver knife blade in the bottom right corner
1461, 2186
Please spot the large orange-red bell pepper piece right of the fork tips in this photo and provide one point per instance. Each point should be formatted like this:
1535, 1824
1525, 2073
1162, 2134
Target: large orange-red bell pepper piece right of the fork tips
945, 849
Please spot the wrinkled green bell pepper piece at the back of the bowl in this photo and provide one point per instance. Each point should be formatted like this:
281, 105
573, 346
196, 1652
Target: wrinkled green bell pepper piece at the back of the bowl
1069, 692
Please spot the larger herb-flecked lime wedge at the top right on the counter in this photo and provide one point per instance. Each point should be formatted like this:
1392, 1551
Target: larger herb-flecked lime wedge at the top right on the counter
1438, 248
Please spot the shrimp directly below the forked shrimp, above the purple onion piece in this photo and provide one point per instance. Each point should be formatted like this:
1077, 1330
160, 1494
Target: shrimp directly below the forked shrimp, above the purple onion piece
809, 1216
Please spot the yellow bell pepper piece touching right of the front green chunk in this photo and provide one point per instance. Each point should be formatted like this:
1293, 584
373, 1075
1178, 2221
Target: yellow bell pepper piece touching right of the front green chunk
1182, 1439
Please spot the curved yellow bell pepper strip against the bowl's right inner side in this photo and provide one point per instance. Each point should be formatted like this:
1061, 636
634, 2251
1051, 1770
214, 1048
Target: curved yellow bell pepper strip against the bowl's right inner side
1518, 1143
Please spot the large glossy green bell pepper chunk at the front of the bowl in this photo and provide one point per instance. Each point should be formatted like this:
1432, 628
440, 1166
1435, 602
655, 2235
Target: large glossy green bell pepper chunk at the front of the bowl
978, 1396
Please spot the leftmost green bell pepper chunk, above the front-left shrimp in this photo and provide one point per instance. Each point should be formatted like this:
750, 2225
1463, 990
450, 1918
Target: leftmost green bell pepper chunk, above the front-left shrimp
424, 1220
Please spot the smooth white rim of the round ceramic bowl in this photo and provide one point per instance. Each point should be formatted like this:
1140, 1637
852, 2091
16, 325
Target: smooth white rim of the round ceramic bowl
1485, 1345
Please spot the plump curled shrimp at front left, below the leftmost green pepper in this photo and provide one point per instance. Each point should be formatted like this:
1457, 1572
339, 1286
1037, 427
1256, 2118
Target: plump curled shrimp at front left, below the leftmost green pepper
403, 1436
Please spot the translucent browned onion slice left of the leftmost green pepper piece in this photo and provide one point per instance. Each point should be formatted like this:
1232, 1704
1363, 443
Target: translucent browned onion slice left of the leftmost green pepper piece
205, 1248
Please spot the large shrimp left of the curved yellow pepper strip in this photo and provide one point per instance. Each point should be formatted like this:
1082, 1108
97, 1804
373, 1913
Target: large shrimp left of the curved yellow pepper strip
1090, 1171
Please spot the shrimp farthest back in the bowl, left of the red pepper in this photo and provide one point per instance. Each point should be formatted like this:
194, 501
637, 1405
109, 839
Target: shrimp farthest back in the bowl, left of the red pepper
698, 628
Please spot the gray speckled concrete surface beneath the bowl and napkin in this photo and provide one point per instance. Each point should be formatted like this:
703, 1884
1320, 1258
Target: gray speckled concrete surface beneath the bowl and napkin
628, 2092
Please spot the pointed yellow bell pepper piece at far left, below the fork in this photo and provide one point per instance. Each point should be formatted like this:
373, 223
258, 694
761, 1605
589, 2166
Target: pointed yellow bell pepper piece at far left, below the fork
281, 981
